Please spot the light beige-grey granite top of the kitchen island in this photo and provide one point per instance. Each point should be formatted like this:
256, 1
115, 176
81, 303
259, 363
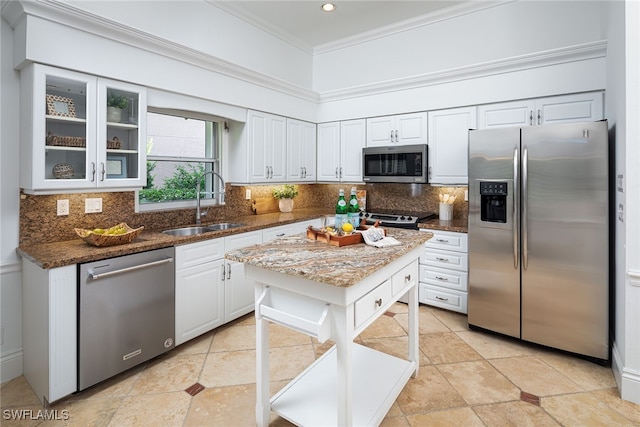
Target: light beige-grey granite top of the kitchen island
338, 266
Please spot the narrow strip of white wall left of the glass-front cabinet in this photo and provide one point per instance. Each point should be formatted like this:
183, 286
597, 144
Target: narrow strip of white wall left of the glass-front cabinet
10, 277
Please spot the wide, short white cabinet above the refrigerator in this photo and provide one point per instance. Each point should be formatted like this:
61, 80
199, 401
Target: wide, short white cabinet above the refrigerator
583, 107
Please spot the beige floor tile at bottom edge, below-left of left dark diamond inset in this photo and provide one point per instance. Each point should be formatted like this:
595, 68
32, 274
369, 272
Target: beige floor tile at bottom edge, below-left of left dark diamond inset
164, 409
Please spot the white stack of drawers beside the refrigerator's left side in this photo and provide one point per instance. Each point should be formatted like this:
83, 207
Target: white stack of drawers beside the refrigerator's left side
444, 270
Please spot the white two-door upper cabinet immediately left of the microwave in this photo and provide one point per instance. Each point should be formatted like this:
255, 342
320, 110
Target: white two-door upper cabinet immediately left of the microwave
340, 147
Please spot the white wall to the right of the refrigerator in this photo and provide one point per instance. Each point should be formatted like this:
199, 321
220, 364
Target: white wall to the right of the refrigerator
623, 110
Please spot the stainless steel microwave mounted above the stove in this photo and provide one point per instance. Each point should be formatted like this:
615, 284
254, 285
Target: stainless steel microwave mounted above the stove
402, 163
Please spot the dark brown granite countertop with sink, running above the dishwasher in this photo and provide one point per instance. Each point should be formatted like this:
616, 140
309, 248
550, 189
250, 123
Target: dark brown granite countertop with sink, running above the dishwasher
59, 254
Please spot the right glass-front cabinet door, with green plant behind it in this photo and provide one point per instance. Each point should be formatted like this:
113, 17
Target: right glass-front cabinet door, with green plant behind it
121, 134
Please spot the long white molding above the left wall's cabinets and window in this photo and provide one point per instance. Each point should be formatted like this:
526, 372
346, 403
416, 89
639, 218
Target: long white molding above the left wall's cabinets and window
65, 14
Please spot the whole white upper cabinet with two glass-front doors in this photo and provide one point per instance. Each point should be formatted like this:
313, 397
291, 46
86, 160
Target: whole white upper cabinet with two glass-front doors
68, 141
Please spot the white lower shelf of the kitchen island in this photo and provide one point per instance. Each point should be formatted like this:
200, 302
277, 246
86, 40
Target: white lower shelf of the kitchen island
310, 399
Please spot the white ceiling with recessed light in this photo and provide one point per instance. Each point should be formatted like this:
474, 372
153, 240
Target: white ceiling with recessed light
303, 23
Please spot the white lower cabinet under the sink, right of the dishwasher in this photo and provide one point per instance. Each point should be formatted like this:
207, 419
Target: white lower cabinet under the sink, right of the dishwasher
211, 291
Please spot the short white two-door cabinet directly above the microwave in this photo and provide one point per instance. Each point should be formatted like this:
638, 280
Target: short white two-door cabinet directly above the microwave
405, 129
